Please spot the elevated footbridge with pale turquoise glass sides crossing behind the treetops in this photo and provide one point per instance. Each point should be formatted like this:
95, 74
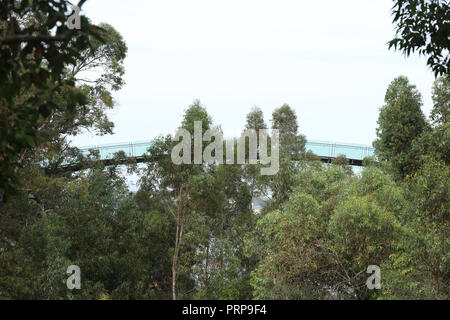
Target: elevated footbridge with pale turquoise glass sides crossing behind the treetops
327, 151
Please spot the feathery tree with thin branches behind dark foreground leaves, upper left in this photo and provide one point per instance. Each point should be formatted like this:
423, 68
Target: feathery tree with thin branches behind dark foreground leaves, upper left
106, 58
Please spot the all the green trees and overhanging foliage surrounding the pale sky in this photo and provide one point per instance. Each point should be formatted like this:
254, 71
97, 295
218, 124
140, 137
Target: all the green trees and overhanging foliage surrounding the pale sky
191, 231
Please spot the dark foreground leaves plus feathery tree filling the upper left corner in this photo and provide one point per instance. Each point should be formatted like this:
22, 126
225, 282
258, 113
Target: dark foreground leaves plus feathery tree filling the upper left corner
43, 93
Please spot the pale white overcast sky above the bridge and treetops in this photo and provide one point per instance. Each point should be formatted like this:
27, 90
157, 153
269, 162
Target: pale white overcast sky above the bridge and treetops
327, 59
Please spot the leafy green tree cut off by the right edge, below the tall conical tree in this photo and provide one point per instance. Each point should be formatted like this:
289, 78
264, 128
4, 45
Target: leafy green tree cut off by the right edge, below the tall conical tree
430, 223
